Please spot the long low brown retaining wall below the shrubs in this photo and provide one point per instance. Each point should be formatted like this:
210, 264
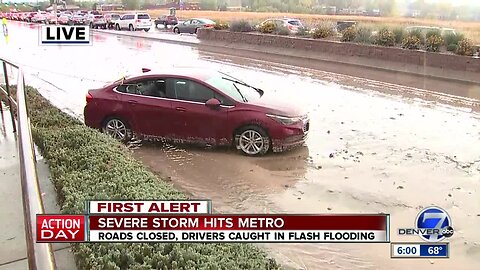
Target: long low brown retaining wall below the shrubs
442, 65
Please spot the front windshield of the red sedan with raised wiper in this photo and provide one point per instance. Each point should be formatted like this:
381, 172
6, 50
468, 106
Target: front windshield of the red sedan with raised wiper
236, 90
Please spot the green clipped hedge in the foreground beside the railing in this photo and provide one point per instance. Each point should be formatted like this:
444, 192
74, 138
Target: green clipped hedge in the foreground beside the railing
86, 164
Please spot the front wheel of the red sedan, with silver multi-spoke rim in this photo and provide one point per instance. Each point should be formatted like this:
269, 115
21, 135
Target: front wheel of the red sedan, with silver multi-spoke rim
252, 140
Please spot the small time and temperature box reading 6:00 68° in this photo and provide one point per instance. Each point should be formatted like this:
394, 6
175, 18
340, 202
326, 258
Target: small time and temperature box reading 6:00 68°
420, 250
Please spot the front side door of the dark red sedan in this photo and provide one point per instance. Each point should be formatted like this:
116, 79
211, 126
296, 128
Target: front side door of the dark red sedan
192, 120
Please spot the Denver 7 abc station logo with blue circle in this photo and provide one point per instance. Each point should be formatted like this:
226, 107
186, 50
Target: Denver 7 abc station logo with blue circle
433, 224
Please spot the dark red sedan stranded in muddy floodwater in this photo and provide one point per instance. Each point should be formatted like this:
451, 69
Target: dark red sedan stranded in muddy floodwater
196, 106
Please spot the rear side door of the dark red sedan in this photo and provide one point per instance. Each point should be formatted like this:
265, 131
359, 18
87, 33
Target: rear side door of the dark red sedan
148, 108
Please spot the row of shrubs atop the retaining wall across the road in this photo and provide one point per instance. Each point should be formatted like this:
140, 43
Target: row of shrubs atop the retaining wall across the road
432, 41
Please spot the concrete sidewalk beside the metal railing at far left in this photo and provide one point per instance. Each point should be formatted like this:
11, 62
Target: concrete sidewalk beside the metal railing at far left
13, 251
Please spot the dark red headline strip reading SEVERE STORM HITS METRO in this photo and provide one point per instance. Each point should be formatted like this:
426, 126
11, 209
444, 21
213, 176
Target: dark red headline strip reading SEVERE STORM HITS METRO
238, 222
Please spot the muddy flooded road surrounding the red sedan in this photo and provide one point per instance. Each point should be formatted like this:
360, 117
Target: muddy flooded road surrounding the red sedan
373, 147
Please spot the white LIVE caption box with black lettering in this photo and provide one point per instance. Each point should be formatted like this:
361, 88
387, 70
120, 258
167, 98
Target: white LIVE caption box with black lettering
65, 34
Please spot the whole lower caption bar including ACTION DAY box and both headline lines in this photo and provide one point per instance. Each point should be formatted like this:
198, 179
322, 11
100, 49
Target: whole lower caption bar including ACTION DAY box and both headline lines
214, 228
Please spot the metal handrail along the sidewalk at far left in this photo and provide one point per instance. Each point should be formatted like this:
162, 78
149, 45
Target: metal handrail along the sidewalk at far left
40, 255
